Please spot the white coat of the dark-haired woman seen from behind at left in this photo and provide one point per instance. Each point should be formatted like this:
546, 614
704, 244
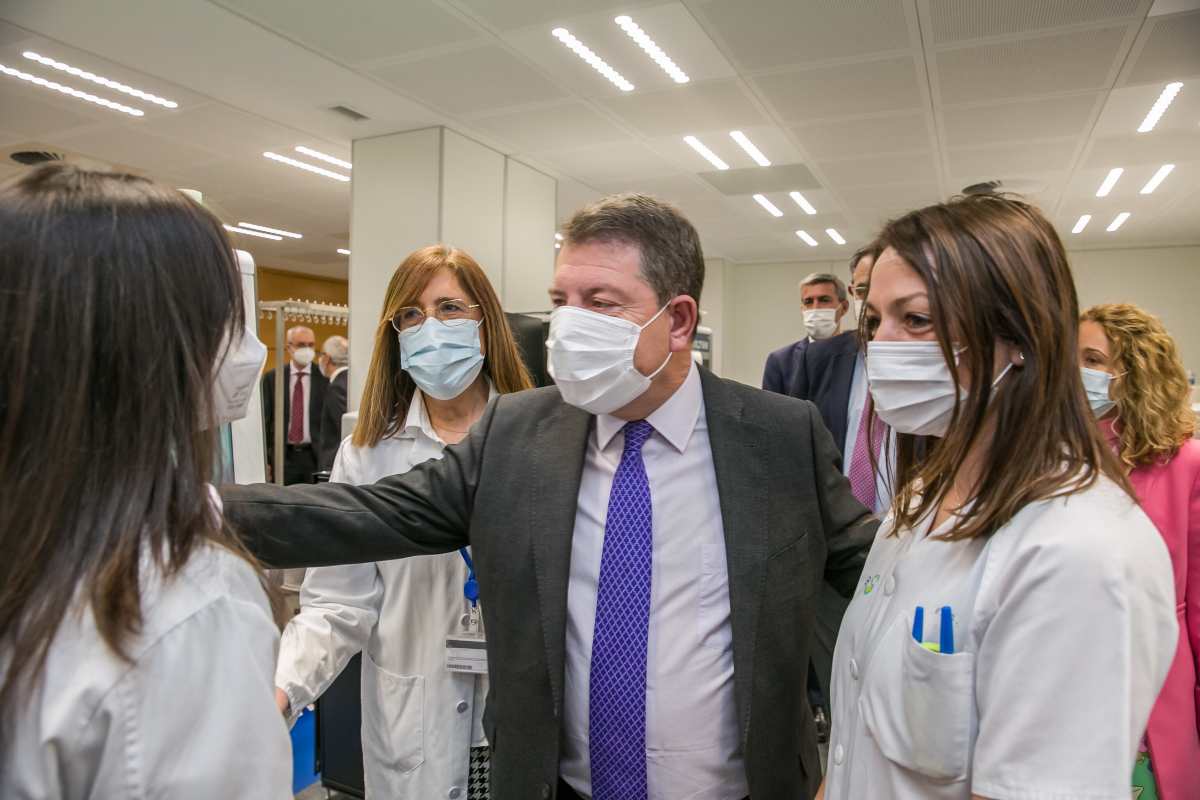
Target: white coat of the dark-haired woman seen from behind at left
191, 718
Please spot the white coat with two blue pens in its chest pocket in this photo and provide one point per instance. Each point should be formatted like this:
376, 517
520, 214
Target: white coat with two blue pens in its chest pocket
1064, 629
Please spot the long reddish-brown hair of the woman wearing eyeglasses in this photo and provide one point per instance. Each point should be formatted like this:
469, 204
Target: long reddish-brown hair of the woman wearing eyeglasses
389, 389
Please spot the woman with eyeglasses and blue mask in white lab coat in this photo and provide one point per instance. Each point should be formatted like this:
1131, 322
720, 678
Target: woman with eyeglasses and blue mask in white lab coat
443, 350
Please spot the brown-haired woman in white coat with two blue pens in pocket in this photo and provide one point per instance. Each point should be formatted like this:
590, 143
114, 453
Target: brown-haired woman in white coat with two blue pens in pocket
1016, 618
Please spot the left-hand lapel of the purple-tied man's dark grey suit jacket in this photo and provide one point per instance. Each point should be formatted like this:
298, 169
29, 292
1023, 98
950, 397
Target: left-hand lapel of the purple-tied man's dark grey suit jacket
557, 456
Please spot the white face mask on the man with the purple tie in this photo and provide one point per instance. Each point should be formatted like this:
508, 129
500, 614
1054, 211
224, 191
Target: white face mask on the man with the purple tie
592, 359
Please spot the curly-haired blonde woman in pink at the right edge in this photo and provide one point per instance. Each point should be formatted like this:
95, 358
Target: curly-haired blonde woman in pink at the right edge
1139, 389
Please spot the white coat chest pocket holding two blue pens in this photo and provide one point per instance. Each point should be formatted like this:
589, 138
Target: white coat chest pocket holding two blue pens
920, 706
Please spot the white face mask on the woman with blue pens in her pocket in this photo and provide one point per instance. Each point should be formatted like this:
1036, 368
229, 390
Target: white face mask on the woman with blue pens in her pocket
913, 387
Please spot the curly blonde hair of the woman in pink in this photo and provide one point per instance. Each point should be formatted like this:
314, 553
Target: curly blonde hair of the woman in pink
1153, 396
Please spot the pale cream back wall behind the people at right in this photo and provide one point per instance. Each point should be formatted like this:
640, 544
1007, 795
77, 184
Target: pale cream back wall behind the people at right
763, 309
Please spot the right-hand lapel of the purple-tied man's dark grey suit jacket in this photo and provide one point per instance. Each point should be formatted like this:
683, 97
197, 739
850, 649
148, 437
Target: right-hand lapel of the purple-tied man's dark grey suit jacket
742, 489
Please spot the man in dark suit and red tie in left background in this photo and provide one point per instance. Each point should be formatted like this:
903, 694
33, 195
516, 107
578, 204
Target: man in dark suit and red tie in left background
303, 401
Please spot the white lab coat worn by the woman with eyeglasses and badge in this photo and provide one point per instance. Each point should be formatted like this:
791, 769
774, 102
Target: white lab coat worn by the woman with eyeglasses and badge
419, 721
